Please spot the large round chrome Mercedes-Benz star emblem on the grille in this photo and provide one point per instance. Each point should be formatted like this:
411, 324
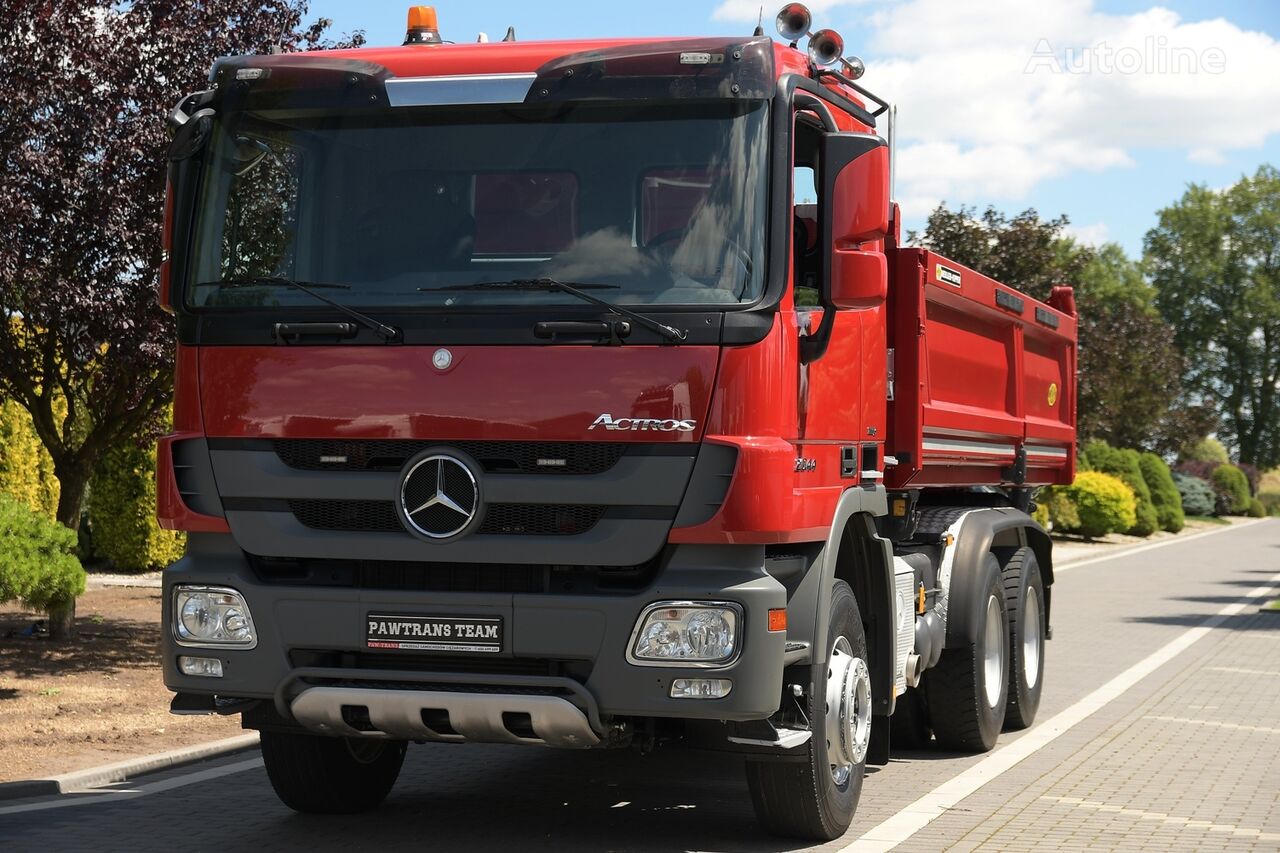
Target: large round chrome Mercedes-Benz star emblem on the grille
440, 496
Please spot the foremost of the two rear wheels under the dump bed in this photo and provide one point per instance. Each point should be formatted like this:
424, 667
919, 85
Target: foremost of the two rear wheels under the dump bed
970, 687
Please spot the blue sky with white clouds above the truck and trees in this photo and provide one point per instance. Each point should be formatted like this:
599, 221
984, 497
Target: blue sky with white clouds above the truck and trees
1104, 111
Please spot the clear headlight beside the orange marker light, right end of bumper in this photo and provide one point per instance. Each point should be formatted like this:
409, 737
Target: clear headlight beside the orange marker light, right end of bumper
683, 633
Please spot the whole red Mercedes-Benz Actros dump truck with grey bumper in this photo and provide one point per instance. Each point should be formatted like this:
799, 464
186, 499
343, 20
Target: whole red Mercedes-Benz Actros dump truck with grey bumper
582, 394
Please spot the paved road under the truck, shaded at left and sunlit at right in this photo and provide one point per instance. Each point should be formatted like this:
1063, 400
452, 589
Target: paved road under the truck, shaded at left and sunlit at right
1160, 728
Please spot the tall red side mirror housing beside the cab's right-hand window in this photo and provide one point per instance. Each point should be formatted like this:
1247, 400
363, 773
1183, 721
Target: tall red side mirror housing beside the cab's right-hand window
854, 211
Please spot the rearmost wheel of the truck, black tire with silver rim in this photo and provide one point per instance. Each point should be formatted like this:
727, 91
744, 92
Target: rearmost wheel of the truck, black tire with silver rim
1025, 601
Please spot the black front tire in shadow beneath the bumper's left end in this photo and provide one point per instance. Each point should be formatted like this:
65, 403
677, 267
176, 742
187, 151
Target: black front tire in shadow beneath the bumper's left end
319, 776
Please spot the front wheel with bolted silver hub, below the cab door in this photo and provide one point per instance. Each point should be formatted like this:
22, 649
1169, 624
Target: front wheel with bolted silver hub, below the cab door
817, 800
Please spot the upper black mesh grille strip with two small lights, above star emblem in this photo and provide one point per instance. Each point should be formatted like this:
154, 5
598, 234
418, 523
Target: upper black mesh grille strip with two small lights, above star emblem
391, 455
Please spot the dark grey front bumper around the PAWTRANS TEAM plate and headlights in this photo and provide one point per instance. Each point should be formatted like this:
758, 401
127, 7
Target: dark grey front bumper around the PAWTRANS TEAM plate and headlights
583, 637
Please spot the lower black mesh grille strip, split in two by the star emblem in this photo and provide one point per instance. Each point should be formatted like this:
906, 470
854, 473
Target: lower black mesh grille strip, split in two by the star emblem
504, 519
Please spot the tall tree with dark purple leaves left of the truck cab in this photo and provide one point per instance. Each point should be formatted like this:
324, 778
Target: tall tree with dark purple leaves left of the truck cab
86, 85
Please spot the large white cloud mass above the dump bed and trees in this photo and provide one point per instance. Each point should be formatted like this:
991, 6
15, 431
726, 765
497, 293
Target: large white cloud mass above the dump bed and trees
995, 99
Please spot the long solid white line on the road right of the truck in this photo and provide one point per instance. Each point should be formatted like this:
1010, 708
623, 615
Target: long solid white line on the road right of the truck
909, 822
